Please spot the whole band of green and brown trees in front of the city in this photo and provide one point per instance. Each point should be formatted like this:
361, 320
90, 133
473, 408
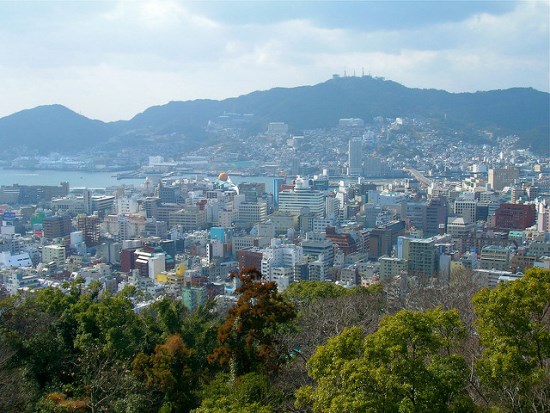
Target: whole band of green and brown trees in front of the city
315, 348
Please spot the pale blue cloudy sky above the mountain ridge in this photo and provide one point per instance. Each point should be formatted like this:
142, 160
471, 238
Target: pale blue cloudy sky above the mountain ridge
111, 60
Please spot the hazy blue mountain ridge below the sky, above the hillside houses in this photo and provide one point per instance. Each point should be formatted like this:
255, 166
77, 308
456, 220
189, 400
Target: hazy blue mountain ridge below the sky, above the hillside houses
522, 111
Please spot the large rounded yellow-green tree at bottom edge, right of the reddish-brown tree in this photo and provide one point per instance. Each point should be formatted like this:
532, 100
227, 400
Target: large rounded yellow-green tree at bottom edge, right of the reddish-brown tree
408, 365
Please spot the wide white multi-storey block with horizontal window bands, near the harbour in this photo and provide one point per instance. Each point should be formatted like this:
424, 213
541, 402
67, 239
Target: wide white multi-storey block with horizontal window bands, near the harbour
302, 196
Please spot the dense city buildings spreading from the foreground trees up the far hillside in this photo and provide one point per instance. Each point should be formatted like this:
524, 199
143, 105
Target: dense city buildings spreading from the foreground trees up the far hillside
343, 205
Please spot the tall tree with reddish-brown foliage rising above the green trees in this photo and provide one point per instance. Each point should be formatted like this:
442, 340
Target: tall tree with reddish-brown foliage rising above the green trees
247, 338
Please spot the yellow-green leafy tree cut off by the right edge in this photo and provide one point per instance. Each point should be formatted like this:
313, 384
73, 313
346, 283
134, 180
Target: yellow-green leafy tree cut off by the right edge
514, 328
